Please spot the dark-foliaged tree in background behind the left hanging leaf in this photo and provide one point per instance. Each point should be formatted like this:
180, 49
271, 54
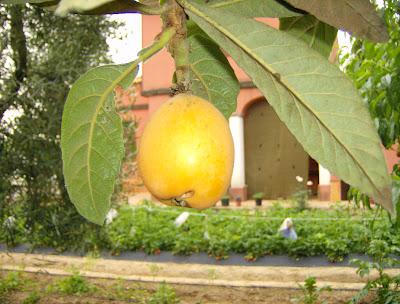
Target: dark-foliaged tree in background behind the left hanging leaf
41, 57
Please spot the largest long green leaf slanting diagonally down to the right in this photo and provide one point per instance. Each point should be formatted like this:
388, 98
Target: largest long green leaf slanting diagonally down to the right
312, 97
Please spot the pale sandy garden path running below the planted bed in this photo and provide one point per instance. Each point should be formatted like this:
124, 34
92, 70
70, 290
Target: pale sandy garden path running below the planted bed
340, 278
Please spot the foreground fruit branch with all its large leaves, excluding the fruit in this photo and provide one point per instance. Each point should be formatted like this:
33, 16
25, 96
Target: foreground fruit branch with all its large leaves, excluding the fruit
308, 95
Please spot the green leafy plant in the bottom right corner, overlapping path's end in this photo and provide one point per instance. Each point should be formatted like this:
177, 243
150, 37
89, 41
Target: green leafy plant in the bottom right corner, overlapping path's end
385, 287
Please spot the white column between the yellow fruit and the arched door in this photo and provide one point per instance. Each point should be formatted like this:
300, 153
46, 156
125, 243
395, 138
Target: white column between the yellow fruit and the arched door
238, 176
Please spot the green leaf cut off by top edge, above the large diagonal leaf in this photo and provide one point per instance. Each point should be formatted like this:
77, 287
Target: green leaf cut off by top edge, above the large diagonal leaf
255, 8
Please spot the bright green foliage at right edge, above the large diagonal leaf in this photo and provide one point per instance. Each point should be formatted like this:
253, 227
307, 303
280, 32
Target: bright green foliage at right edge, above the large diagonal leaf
375, 70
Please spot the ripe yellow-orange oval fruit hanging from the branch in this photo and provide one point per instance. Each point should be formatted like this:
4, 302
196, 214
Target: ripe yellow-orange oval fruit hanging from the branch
186, 153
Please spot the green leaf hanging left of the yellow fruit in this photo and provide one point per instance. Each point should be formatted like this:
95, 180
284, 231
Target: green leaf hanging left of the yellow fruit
91, 139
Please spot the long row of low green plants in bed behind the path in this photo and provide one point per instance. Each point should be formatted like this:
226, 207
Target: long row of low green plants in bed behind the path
221, 233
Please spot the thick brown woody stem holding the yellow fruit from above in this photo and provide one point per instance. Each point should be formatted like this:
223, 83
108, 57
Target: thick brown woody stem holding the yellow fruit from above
174, 16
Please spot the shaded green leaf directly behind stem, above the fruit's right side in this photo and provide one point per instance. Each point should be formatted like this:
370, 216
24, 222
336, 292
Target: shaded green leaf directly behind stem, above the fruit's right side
212, 76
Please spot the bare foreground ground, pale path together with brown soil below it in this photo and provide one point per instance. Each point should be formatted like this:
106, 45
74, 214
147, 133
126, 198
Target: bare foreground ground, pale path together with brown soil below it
193, 283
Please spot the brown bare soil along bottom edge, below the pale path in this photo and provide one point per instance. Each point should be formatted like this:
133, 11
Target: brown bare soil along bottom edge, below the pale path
188, 294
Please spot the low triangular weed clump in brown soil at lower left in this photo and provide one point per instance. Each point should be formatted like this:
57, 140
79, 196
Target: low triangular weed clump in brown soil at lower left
73, 285
